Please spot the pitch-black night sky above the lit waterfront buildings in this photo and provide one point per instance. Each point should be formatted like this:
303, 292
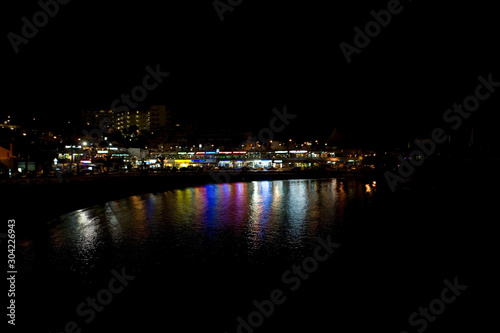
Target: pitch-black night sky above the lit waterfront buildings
263, 55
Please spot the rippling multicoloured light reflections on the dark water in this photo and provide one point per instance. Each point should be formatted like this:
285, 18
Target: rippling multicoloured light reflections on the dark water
251, 221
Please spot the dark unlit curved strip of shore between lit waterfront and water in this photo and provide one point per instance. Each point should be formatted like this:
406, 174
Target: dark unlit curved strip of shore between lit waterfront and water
36, 204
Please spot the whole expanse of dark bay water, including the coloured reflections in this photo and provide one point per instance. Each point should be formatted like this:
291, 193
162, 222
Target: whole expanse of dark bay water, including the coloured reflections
196, 259
